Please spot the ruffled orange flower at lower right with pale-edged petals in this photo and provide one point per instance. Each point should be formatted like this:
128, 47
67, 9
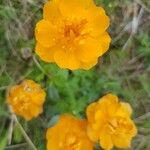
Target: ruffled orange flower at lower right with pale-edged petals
109, 122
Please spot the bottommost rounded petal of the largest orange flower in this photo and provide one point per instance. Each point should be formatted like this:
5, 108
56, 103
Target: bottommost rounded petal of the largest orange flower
66, 59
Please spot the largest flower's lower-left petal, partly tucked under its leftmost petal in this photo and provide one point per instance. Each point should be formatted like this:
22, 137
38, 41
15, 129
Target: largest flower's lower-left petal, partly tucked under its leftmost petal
46, 54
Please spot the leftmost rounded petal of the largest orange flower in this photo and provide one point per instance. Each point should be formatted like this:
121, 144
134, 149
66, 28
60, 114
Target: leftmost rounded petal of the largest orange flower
44, 33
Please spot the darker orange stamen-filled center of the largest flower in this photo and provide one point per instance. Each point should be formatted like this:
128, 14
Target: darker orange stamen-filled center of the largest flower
71, 33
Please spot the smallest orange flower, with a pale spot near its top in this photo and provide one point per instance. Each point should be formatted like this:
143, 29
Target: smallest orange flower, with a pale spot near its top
26, 99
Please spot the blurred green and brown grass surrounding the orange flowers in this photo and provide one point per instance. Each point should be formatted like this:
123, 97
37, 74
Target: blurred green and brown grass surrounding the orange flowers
124, 70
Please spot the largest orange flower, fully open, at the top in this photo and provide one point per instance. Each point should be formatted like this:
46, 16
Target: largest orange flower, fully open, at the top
72, 33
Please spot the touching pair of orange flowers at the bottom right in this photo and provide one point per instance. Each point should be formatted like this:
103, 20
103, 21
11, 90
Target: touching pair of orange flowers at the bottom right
108, 122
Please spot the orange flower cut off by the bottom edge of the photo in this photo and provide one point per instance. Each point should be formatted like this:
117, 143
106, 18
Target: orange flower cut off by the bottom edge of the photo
68, 134
